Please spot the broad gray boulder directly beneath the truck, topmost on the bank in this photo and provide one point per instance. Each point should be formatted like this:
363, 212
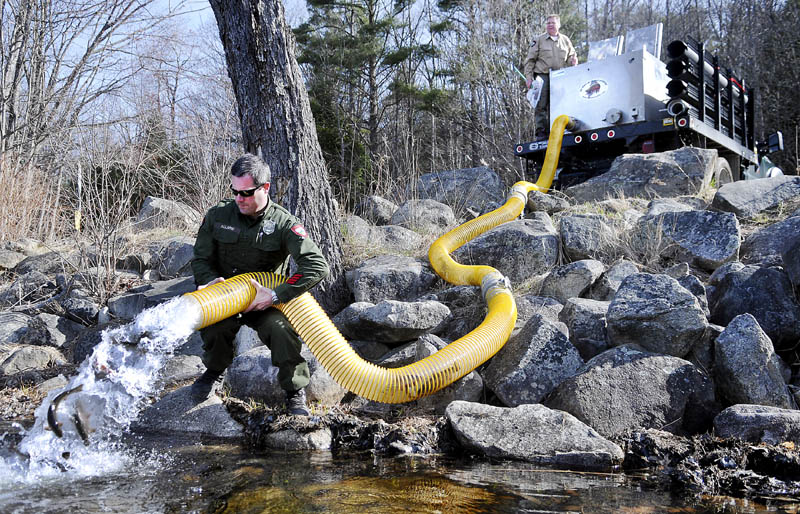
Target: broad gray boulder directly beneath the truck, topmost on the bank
685, 171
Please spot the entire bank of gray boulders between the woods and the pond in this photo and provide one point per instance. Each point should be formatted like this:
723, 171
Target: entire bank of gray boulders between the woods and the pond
654, 333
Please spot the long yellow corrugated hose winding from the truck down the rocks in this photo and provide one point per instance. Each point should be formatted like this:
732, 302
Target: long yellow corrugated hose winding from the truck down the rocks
424, 377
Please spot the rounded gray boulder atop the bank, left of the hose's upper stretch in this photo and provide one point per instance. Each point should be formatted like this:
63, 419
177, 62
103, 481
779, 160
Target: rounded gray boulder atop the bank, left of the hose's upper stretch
471, 189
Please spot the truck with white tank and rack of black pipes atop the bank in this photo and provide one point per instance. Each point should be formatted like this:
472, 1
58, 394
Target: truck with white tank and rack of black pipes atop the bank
633, 102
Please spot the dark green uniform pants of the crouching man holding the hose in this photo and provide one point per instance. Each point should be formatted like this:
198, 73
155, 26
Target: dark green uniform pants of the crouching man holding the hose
274, 331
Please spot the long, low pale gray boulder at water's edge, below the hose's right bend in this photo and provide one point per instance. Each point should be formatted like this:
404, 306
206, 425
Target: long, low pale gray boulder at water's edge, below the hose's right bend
531, 433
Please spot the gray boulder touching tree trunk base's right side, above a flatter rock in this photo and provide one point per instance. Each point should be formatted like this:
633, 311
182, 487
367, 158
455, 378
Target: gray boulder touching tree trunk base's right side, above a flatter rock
390, 277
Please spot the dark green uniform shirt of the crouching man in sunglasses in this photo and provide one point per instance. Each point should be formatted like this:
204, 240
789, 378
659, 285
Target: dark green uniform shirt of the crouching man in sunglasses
230, 243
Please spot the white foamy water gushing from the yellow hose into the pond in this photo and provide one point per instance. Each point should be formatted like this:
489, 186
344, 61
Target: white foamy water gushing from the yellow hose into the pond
112, 386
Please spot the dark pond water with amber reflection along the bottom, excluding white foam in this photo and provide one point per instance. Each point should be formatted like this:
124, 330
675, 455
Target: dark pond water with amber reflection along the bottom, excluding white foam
186, 475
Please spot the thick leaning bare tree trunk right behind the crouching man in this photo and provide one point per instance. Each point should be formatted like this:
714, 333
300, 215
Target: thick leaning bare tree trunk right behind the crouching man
277, 123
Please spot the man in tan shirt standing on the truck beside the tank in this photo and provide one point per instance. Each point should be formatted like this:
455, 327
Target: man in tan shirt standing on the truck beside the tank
549, 51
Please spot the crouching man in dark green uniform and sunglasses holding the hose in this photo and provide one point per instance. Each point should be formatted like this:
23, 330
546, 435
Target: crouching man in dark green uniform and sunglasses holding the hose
252, 233
